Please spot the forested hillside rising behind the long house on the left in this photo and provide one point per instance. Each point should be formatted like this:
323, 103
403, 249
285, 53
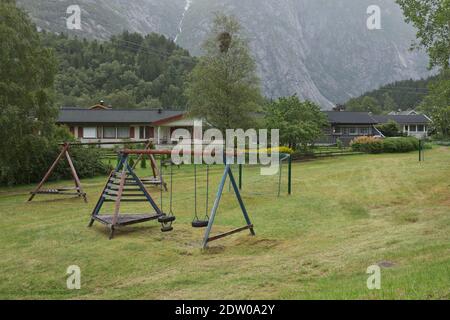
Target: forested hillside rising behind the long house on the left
128, 71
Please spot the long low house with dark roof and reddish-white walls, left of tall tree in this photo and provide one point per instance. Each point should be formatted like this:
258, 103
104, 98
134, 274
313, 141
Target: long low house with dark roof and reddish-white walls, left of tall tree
103, 124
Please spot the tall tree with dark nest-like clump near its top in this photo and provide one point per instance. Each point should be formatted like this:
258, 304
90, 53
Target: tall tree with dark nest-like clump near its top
223, 87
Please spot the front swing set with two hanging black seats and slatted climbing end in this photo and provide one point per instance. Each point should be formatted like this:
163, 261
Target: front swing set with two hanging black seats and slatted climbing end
123, 181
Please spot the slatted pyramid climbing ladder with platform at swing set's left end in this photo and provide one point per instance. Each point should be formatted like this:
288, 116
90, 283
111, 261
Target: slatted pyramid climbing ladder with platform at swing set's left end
123, 185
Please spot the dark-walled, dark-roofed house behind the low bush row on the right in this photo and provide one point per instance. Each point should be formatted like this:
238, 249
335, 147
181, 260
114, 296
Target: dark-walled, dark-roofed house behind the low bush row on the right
346, 125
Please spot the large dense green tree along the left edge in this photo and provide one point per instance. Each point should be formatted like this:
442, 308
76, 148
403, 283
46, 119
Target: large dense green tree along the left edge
26, 86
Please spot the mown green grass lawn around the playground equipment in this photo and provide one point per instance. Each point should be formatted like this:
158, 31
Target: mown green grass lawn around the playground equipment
345, 214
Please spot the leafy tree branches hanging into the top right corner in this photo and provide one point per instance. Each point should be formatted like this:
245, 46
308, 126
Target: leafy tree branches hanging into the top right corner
432, 21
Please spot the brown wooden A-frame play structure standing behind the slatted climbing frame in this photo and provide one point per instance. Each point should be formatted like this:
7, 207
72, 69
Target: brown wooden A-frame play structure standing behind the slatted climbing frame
77, 190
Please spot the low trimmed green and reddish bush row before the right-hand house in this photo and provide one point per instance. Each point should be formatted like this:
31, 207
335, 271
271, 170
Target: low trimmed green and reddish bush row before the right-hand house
390, 145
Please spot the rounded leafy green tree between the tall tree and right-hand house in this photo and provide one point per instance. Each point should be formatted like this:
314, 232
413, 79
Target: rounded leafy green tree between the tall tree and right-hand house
300, 123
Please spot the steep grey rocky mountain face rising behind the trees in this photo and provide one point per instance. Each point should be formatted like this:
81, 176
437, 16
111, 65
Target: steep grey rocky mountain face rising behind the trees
320, 49
